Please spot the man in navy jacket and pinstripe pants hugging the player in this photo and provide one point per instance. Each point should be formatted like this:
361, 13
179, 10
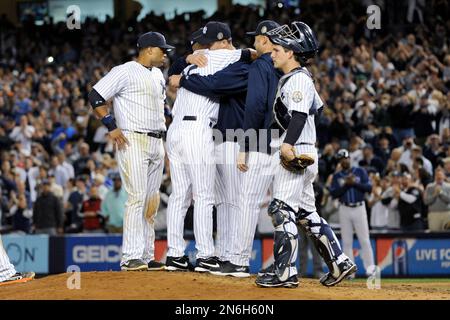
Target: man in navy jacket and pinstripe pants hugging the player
230, 85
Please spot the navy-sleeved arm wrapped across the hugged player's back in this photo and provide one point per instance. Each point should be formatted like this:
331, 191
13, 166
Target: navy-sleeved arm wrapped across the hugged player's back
229, 81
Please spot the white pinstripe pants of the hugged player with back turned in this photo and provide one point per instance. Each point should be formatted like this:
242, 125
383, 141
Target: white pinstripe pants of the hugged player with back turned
190, 148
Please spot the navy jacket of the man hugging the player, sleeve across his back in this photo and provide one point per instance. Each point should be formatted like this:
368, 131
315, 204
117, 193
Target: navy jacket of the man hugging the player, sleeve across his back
230, 86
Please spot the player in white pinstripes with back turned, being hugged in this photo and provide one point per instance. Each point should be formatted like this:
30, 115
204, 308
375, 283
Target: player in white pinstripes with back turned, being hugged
190, 147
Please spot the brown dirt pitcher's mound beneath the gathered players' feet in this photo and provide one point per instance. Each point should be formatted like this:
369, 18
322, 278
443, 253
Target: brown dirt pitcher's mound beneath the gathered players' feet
193, 286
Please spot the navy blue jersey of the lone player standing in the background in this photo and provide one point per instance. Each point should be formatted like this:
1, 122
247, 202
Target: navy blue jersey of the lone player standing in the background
350, 194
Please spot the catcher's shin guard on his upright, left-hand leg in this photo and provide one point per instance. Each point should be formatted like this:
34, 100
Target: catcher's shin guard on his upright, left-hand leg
285, 240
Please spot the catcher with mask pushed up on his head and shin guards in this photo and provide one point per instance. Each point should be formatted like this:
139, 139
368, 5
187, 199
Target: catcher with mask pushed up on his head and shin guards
296, 106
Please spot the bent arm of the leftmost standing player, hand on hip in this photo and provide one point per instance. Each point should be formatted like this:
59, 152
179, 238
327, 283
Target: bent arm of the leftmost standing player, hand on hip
111, 84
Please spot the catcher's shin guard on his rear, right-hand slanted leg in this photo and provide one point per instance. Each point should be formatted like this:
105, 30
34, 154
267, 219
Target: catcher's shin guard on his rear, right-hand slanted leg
323, 238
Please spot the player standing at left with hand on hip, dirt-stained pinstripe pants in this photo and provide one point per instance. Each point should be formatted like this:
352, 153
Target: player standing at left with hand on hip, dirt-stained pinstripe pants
137, 89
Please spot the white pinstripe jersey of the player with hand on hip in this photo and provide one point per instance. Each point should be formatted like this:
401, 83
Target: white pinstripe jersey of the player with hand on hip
138, 96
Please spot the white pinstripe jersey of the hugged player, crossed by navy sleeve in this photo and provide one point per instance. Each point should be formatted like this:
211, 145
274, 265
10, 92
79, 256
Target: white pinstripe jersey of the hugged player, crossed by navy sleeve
188, 103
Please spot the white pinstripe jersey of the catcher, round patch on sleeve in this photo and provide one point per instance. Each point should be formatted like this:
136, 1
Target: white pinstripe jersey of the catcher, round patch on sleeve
299, 94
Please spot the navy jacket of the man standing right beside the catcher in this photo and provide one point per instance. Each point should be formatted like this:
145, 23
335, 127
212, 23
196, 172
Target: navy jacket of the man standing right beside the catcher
262, 88
